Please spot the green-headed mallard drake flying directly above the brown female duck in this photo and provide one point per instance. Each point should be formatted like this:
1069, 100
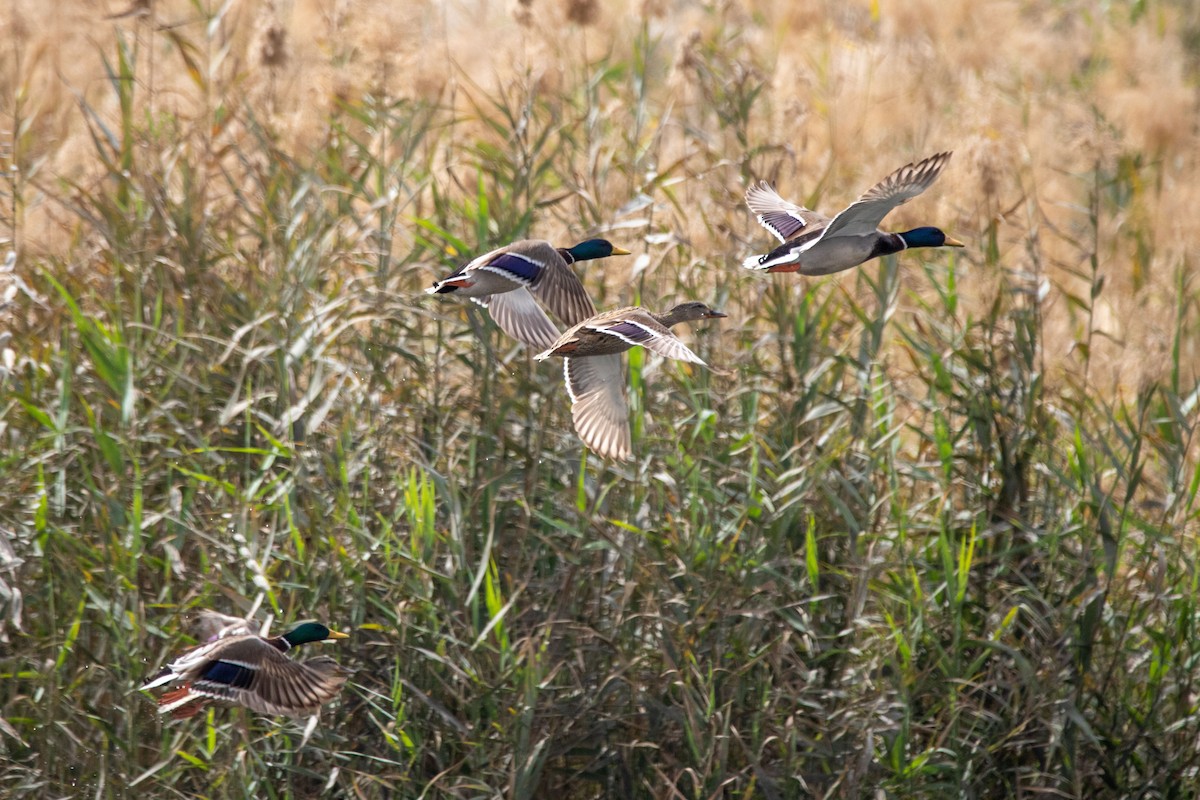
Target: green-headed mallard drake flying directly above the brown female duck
507, 280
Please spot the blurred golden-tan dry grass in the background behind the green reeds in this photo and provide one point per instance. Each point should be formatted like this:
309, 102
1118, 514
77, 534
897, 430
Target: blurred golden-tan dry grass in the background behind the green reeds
1033, 98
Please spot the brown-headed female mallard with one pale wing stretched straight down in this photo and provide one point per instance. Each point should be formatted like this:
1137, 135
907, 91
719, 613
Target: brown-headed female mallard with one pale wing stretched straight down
593, 370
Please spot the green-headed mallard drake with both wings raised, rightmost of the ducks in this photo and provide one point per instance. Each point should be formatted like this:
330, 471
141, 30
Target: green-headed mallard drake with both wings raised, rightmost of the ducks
817, 245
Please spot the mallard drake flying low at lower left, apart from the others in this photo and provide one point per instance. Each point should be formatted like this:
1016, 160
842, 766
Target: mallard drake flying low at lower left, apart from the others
241, 669
